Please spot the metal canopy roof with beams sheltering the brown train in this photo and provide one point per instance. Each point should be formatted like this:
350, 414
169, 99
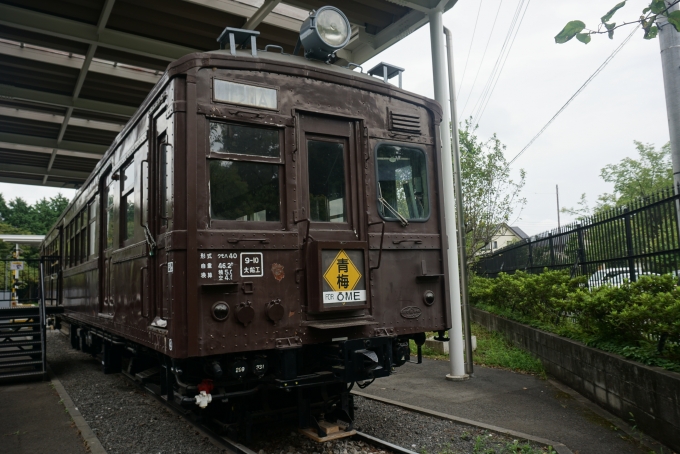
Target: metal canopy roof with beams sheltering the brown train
72, 72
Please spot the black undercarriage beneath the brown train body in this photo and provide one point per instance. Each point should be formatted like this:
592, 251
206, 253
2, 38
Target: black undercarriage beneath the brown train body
309, 384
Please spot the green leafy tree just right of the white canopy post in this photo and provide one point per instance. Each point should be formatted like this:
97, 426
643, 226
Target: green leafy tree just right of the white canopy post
490, 196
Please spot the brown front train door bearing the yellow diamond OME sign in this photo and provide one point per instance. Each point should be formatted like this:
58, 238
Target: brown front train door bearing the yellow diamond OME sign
332, 181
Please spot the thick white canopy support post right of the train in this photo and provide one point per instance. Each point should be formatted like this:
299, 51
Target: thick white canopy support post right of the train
440, 95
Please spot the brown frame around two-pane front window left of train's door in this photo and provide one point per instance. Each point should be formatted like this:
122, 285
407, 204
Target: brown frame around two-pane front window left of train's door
279, 161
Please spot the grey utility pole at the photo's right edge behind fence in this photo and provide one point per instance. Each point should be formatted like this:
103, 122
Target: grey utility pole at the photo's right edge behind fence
669, 40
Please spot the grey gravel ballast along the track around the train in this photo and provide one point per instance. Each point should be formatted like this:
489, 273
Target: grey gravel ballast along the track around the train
127, 420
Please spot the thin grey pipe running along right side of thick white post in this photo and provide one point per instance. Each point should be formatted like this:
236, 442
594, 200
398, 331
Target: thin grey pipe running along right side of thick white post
460, 218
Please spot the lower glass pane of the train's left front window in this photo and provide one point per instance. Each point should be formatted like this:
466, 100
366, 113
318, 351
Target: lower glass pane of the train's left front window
244, 191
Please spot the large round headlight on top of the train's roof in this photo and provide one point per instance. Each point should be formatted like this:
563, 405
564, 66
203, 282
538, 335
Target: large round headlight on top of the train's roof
324, 32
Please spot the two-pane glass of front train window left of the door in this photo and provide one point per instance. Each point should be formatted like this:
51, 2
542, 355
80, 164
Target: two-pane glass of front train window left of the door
246, 187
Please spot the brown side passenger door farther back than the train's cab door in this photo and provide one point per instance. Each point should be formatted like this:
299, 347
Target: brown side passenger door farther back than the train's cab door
107, 226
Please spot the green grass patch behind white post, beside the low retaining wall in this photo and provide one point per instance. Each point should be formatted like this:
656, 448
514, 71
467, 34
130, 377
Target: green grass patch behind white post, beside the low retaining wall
494, 351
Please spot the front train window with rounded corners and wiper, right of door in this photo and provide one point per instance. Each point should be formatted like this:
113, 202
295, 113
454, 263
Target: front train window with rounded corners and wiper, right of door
402, 182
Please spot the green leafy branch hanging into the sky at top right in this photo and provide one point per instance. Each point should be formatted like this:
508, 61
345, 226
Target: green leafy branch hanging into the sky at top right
648, 22
